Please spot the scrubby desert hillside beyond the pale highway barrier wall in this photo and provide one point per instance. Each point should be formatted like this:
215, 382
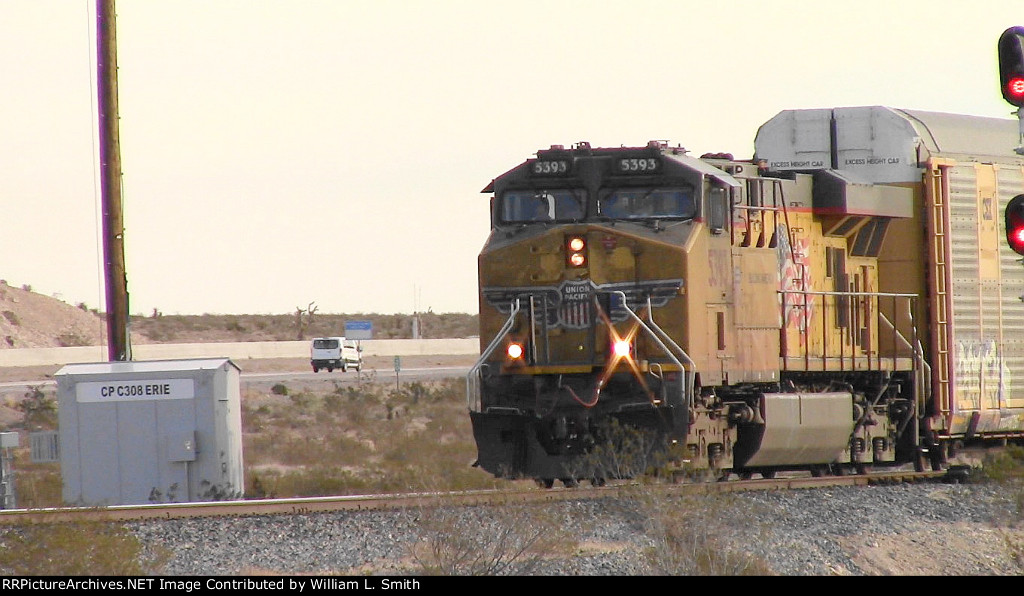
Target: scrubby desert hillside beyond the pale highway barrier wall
31, 321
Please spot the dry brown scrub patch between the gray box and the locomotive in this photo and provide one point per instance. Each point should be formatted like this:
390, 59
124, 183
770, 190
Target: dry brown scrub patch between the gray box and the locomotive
359, 440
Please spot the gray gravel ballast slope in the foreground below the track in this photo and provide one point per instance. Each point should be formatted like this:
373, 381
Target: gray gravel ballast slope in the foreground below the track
923, 529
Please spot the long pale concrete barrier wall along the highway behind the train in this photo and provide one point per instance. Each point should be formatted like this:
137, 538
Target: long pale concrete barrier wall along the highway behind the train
236, 351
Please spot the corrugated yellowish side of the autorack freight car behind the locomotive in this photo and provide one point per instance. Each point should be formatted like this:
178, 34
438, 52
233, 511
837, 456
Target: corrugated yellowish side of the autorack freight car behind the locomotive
987, 314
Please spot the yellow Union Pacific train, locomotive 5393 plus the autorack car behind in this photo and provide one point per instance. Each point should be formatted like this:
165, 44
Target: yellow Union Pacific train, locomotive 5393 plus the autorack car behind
841, 302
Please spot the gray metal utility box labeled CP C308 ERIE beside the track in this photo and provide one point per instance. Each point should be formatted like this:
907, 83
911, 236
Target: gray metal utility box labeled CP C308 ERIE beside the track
156, 432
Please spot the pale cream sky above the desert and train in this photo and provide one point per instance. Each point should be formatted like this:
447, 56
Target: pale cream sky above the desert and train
278, 153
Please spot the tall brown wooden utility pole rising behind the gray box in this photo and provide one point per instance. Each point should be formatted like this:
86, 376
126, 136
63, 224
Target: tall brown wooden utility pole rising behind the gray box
119, 348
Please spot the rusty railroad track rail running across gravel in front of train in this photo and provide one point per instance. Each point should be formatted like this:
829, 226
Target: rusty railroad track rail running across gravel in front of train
300, 506
